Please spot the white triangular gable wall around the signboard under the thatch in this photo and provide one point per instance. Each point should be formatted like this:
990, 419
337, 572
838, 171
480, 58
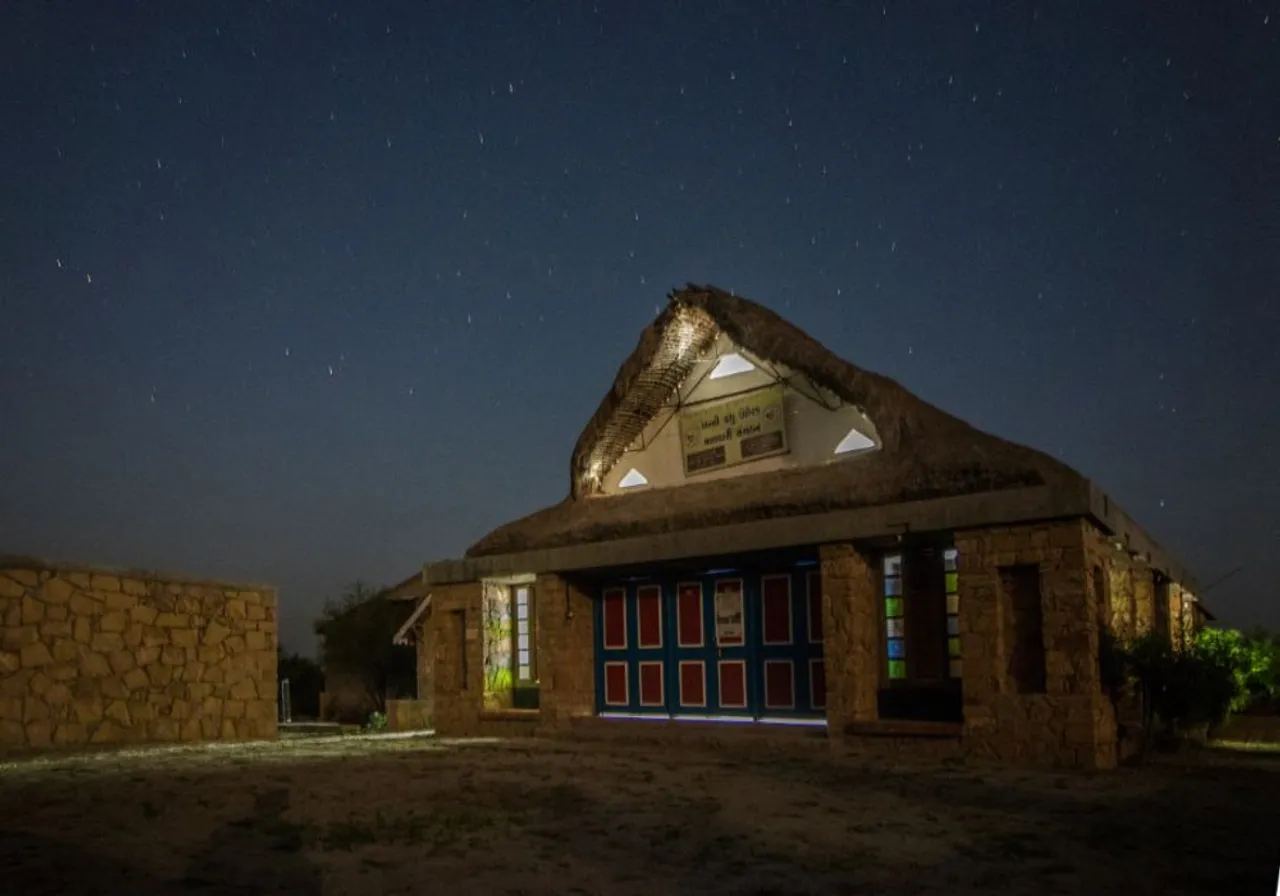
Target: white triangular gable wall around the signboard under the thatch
813, 431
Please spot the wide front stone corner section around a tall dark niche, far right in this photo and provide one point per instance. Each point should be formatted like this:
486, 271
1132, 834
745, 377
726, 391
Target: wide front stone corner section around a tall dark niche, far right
1072, 724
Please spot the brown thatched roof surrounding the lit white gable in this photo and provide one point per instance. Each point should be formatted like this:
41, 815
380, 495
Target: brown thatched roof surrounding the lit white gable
925, 452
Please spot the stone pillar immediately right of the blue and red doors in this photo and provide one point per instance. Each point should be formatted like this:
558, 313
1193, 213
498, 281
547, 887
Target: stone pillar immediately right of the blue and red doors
852, 637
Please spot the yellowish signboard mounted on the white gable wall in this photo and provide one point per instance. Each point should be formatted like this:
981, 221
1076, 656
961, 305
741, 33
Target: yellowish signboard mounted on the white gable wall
737, 431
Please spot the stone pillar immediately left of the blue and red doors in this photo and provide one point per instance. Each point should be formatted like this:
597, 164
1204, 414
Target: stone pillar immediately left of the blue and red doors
566, 651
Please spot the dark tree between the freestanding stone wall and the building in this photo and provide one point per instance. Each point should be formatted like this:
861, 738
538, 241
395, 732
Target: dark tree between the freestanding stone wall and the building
356, 630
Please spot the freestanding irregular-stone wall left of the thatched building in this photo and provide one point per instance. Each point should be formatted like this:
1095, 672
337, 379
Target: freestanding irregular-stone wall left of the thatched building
100, 657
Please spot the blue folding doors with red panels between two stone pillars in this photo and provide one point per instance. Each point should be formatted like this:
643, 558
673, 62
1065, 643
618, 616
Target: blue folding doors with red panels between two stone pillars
653, 660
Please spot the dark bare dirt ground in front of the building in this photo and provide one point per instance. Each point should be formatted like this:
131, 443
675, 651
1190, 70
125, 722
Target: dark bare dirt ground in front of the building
423, 816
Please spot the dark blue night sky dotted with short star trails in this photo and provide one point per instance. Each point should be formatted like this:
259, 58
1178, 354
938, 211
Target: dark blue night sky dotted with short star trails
301, 295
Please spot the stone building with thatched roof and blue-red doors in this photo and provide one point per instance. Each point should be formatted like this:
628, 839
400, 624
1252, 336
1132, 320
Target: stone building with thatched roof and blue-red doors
760, 533
